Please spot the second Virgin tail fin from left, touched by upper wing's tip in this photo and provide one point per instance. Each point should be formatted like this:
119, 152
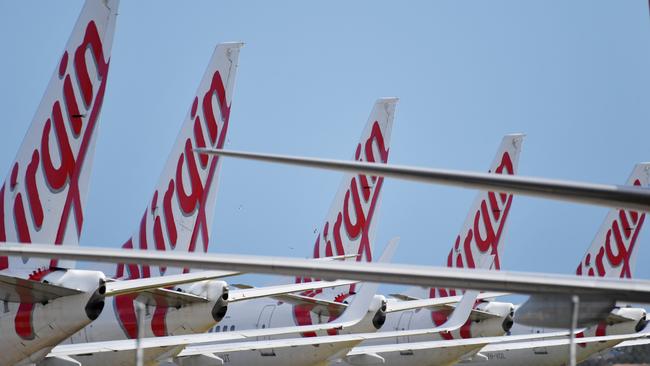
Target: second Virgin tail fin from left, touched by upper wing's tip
179, 215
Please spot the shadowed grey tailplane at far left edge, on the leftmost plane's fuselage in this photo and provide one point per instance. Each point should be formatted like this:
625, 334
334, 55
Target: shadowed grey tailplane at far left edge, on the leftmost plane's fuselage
18, 290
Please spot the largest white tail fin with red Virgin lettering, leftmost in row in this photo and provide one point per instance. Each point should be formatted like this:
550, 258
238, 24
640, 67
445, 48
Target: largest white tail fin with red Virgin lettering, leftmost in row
43, 196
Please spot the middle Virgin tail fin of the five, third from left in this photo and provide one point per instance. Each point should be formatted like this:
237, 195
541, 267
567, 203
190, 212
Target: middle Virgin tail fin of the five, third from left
349, 225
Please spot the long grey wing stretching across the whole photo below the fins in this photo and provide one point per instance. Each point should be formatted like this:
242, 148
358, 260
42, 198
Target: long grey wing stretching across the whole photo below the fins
636, 291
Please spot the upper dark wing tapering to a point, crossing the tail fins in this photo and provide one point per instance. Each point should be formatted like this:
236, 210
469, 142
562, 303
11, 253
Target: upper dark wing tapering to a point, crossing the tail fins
616, 196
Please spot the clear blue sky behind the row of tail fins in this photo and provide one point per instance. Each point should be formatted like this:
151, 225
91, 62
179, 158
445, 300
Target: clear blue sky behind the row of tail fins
572, 75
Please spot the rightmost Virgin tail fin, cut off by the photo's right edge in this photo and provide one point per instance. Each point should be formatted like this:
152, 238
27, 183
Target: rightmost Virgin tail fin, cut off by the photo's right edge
612, 252
